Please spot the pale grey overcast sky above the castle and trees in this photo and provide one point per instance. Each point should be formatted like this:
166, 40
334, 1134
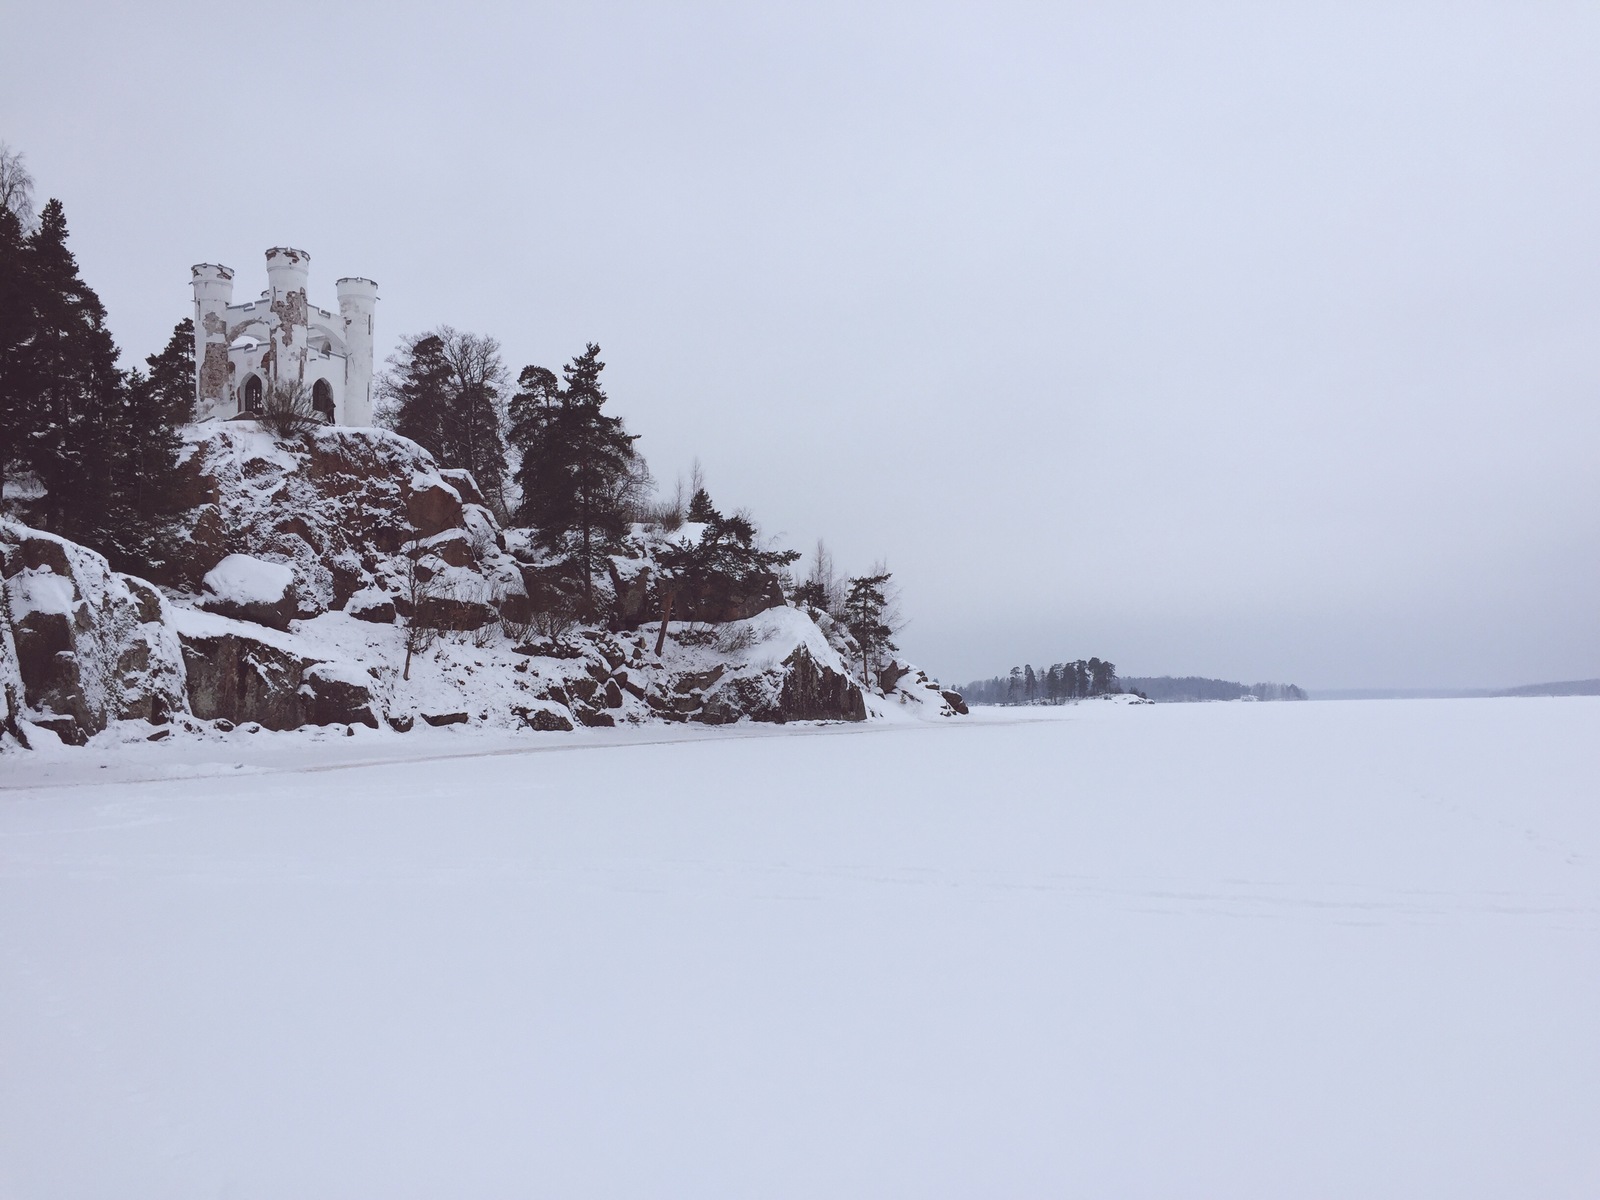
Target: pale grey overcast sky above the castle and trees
1257, 342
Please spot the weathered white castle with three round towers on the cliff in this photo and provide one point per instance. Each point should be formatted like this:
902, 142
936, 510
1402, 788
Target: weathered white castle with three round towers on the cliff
282, 340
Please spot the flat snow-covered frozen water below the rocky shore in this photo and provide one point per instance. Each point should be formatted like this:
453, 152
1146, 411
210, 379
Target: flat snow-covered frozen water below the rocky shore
1193, 951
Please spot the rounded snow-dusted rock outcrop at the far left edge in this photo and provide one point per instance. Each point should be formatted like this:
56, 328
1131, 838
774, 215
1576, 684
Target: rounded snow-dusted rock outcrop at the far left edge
82, 646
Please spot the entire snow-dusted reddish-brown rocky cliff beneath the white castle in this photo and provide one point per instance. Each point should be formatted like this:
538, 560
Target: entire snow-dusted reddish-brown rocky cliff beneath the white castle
345, 580
